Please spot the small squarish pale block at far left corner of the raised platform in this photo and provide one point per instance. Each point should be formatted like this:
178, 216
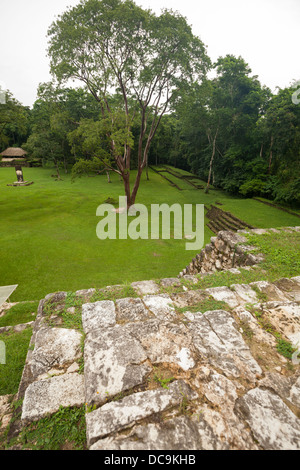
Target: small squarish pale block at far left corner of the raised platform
98, 315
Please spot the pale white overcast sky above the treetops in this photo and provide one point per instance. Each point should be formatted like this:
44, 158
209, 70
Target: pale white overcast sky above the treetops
265, 33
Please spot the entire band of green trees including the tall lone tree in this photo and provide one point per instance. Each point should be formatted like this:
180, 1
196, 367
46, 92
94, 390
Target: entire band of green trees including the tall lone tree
145, 96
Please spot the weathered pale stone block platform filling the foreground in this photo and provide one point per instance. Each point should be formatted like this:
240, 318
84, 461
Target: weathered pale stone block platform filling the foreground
162, 373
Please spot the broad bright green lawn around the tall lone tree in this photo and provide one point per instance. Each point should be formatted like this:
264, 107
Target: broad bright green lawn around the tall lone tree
48, 232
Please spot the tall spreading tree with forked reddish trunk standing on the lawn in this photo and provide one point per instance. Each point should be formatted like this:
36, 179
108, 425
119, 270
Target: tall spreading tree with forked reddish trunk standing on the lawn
115, 46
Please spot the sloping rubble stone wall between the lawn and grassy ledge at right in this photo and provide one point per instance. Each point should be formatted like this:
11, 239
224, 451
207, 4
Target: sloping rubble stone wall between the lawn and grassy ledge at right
225, 251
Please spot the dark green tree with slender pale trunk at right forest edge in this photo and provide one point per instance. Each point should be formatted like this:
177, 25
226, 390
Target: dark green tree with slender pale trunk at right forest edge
219, 125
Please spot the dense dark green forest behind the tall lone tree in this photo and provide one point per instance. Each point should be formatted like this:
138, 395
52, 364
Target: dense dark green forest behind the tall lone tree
230, 130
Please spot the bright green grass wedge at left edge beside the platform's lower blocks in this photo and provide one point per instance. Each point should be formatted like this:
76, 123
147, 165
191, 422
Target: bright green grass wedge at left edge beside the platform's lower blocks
16, 347
